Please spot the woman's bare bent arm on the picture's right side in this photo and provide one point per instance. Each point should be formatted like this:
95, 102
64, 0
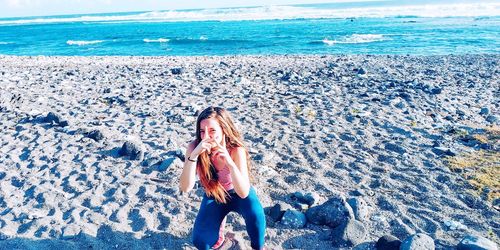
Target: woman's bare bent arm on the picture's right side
239, 171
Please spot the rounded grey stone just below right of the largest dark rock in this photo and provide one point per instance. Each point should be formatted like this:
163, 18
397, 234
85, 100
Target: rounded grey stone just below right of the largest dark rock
348, 234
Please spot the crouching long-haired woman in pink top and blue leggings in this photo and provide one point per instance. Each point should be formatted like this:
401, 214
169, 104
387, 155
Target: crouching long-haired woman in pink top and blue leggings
221, 161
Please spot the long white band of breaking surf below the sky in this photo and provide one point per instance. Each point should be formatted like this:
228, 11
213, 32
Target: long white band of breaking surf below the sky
478, 9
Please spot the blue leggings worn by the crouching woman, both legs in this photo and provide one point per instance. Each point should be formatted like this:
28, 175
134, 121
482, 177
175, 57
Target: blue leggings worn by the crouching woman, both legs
211, 214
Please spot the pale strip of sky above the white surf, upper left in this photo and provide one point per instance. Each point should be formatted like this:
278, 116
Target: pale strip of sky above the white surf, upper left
21, 8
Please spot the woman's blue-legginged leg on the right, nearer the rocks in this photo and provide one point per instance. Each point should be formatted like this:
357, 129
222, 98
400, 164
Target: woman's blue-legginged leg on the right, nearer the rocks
253, 213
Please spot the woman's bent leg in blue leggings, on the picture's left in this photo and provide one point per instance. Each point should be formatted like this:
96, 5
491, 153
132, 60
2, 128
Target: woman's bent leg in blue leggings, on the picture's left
208, 222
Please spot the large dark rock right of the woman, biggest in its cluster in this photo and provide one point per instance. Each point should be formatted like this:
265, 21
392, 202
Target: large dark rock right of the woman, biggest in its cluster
333, 212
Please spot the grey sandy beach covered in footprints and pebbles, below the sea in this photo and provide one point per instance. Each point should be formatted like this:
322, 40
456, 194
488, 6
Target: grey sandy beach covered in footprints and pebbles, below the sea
92, 148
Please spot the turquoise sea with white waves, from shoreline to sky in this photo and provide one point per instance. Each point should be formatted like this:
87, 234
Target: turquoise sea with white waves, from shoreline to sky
354, 28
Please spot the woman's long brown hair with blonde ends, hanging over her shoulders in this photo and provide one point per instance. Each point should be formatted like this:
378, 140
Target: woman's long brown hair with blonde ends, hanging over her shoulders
206, 171
